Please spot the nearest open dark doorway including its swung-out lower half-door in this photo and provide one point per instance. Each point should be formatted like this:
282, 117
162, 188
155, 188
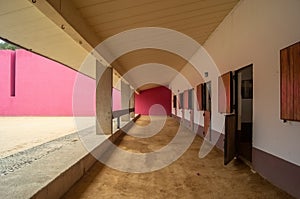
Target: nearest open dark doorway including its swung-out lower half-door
239, 124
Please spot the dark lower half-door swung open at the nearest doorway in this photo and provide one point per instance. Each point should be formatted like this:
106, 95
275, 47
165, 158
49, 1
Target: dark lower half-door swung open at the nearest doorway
230, 138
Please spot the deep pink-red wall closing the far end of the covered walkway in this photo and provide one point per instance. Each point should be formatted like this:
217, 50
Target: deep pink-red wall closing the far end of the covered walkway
155, 101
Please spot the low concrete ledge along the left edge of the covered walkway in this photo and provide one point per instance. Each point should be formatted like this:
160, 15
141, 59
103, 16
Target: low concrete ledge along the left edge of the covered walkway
53, 175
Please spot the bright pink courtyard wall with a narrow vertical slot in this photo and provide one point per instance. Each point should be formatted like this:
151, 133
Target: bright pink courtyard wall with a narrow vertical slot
42, 87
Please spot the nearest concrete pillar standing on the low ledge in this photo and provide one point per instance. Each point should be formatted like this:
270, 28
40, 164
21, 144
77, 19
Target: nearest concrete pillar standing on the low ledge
103, 99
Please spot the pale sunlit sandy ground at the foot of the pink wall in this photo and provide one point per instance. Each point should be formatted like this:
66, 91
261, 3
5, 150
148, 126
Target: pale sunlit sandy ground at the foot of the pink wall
21, 133
